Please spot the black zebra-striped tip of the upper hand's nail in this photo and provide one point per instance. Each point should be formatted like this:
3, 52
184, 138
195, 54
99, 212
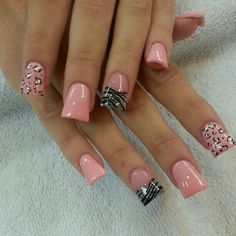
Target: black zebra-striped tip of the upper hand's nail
113, 99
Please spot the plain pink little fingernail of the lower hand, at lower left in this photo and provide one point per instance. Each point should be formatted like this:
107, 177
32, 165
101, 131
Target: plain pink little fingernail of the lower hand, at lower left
91, 169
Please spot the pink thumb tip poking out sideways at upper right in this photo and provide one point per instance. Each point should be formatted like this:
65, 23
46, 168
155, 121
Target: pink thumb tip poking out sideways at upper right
185, 25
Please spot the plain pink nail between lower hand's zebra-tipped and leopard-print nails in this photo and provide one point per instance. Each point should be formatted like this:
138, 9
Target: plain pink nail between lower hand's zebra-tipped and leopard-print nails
188, 179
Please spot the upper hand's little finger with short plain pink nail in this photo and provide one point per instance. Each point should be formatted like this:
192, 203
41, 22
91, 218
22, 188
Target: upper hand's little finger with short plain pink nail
159, 42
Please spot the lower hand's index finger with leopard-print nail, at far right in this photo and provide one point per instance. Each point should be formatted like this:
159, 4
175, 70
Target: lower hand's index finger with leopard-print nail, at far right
192, 111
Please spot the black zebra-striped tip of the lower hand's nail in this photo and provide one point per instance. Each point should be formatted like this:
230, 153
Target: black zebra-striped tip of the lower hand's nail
148, 193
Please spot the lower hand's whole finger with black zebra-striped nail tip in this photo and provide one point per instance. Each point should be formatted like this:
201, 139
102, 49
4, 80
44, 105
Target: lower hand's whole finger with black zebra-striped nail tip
121, 156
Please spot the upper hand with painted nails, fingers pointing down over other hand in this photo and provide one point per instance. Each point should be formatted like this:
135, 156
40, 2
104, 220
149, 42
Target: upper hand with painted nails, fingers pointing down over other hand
139, 25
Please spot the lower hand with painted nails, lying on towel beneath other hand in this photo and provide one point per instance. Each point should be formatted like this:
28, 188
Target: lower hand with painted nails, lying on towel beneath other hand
169, 150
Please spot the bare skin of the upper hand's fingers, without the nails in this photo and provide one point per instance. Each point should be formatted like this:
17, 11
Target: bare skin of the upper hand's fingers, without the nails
89, 27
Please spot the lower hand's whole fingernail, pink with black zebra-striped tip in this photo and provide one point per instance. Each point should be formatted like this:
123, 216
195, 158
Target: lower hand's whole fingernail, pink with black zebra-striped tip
146, 187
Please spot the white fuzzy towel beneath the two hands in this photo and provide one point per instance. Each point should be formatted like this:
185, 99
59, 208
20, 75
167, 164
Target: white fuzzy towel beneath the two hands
41, 194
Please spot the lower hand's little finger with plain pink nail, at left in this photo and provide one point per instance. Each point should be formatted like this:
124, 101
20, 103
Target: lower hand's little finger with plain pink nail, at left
71, 141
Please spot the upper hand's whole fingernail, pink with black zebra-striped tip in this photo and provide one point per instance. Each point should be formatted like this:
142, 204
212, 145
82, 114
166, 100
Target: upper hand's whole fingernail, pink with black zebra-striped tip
115, 93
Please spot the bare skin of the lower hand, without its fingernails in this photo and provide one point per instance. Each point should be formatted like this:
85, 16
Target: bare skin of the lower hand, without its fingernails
163, 143
